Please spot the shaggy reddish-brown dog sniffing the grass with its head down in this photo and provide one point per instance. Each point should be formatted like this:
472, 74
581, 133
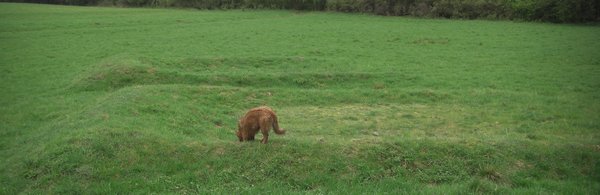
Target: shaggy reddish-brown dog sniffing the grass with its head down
260, 118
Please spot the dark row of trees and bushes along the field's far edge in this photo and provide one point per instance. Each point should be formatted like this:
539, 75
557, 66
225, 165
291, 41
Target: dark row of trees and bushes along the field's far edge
565, 11
